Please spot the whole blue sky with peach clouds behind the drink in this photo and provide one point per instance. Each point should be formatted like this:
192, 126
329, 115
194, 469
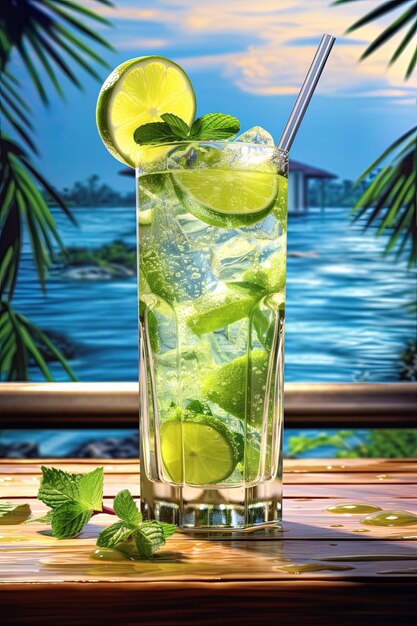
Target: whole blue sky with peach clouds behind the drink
248, 59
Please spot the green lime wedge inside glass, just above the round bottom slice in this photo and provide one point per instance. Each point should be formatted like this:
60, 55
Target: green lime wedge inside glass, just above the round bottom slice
227, 386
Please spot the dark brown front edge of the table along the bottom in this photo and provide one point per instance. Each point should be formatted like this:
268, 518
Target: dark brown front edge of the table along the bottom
242, 604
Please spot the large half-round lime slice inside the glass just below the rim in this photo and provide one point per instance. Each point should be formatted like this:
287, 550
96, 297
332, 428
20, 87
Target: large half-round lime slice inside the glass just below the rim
228, 199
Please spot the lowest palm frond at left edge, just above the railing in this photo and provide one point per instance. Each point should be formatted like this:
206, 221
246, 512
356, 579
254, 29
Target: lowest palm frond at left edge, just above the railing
22, 342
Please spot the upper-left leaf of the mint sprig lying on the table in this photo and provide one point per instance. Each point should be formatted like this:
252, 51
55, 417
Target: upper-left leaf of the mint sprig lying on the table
58, 487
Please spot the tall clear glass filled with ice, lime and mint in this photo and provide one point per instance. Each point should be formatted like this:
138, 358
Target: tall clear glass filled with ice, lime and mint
212, 222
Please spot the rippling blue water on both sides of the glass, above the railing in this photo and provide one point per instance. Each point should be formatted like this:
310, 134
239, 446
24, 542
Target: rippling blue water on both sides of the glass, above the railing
346, 319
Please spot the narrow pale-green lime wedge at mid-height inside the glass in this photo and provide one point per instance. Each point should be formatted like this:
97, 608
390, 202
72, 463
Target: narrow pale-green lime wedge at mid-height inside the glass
215, 311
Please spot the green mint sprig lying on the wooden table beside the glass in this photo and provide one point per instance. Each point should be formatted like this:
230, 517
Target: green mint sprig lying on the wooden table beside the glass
74, 498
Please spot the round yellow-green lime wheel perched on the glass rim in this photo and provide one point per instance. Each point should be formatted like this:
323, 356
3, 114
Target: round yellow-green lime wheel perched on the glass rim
137, 92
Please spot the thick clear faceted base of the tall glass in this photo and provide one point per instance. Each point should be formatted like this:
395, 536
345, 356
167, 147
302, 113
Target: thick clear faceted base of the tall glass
228, 512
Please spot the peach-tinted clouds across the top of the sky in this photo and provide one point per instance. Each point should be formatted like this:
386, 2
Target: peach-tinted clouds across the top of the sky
275, 42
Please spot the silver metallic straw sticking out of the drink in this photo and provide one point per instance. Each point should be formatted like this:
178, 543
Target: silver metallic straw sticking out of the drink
306, 92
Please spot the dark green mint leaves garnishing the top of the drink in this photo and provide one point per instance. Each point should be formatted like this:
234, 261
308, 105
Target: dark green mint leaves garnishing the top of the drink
173, 129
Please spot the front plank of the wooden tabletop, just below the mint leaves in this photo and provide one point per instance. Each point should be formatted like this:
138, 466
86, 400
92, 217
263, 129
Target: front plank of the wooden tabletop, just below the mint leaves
183, 559
